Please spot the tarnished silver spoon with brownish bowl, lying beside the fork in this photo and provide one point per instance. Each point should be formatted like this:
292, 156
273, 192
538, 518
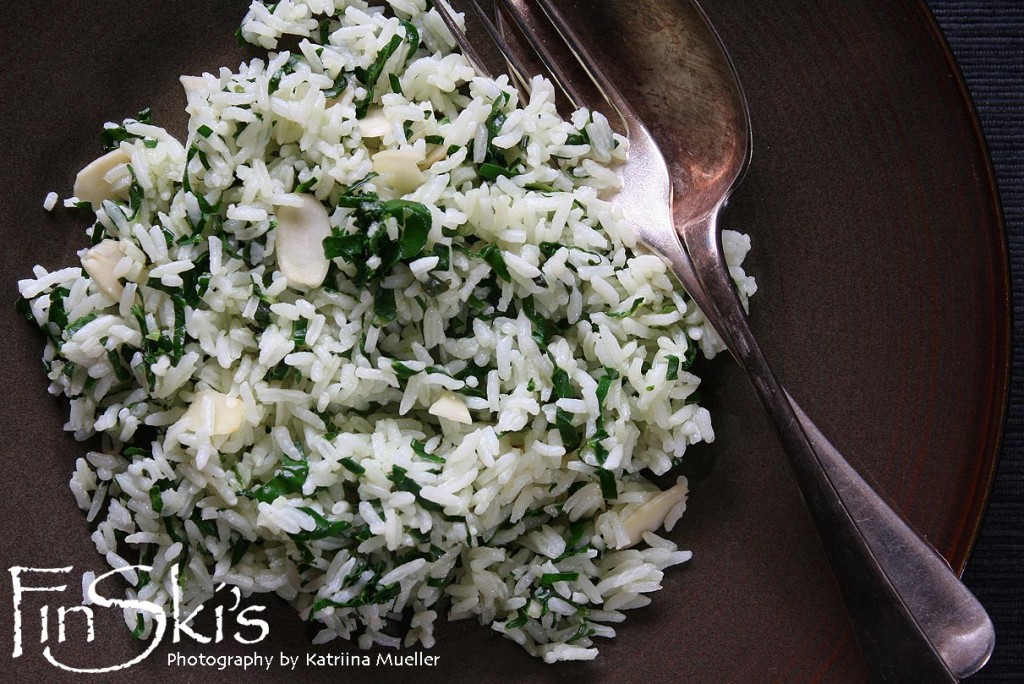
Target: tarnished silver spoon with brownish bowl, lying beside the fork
913, 618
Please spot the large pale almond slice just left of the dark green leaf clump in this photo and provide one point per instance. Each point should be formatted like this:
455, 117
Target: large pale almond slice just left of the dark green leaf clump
301, 237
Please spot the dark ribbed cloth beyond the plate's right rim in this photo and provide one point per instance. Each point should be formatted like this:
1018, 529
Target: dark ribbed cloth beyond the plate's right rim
988, 39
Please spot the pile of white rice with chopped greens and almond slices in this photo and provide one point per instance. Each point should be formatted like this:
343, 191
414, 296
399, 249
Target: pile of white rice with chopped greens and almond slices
373, 339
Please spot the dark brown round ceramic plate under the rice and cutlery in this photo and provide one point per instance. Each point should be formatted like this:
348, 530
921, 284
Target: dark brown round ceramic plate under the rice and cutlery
878, 245
